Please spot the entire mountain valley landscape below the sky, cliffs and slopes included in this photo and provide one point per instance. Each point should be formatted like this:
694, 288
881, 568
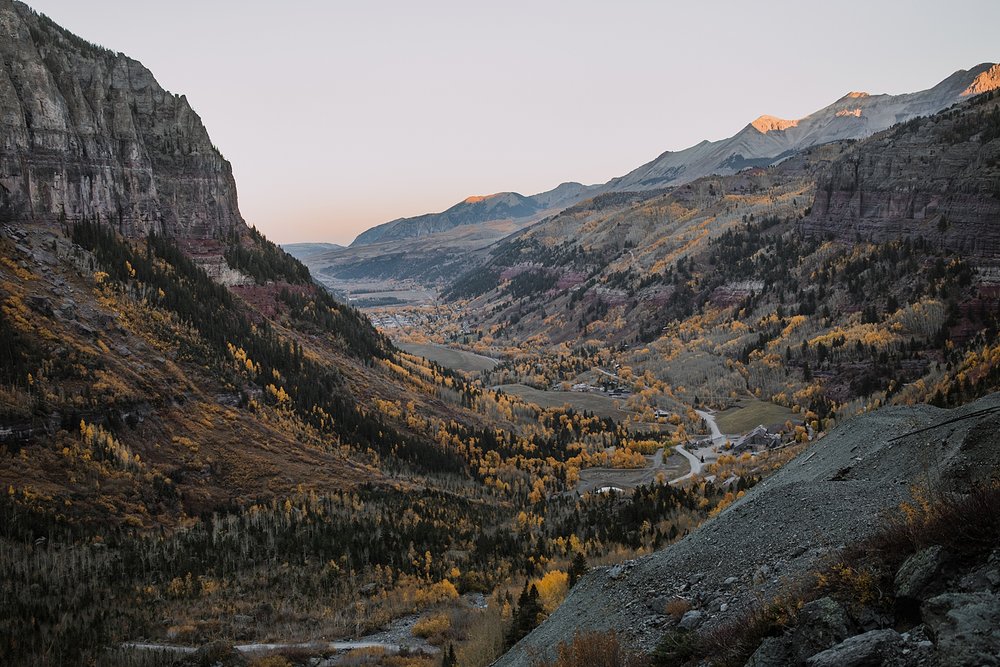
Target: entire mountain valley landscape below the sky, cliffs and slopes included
672, 419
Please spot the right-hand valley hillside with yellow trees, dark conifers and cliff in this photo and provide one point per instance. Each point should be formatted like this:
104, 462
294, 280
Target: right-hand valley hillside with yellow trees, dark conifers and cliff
737, 287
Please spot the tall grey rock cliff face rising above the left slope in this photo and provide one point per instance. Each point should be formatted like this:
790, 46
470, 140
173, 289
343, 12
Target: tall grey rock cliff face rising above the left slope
86, 132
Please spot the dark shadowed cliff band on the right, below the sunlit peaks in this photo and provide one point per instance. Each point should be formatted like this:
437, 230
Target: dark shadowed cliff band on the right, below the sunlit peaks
936, 178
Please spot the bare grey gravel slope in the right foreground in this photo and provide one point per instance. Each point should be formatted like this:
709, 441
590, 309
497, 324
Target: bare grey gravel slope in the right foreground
833, 493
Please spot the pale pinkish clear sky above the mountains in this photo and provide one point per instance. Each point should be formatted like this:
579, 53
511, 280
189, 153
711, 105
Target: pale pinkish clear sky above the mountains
338, 116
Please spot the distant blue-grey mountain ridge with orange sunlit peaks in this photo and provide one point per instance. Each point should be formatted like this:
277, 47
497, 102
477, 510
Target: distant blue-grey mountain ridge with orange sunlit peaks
762, 142
